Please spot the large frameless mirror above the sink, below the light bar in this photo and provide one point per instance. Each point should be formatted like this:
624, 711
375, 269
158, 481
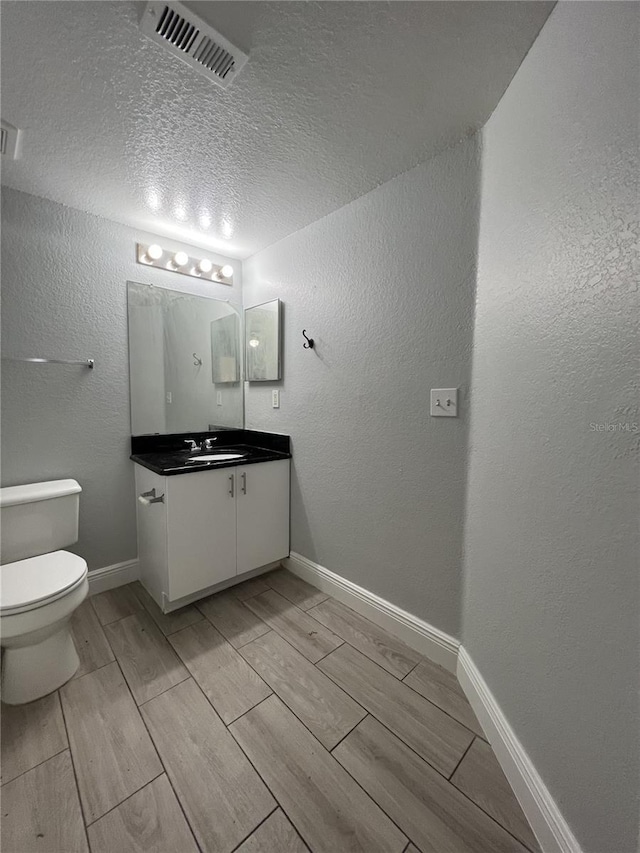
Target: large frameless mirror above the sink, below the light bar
185, 361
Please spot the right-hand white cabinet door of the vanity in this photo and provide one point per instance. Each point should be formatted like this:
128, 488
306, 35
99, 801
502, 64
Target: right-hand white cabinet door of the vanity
263, 514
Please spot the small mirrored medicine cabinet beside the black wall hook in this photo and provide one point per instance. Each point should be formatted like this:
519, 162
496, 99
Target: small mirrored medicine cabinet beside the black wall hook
263, 342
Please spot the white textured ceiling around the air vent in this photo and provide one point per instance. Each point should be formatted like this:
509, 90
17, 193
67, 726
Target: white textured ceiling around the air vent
336, 98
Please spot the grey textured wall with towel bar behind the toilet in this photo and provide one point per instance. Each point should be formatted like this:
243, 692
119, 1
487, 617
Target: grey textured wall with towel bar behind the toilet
64, 277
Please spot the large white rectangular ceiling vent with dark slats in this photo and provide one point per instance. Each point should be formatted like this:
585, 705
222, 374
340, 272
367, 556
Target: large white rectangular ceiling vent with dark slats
198, 44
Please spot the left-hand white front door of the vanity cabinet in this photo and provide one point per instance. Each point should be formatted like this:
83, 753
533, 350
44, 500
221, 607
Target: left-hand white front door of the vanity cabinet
201, 536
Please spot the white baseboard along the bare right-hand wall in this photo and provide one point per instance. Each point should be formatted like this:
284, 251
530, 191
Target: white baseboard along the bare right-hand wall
547, 822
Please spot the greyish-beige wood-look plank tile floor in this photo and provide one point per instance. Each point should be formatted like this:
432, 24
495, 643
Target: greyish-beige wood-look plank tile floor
268, 718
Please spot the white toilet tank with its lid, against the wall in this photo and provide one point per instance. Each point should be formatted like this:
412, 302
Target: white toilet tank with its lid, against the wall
37, 518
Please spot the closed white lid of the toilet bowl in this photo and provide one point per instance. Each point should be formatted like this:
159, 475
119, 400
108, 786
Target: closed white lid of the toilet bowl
33, 582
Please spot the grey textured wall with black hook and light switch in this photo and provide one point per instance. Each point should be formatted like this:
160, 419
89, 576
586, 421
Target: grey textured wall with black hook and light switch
385, 286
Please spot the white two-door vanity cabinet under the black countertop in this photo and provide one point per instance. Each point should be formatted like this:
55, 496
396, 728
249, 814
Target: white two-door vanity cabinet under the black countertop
210, 526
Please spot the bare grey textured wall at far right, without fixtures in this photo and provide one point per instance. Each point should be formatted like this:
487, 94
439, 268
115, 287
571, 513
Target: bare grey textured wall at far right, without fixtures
551, 560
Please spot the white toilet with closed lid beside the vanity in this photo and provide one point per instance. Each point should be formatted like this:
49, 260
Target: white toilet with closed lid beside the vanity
40, 587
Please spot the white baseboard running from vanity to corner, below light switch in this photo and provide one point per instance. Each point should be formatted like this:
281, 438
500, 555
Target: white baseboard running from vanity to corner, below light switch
424, 638
